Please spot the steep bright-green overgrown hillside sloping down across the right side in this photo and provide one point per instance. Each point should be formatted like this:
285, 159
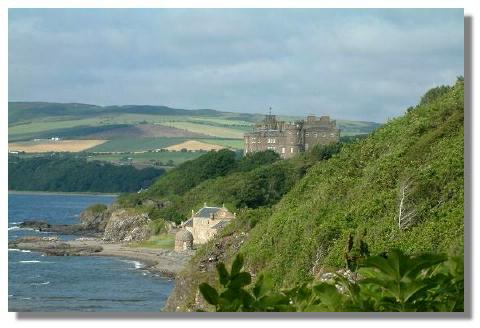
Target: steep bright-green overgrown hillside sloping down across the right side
400, 187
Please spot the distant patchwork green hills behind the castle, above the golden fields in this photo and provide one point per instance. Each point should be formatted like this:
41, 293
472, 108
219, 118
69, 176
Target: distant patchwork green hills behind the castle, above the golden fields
31, 120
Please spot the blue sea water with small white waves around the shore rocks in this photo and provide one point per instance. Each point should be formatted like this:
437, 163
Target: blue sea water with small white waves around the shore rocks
50, 283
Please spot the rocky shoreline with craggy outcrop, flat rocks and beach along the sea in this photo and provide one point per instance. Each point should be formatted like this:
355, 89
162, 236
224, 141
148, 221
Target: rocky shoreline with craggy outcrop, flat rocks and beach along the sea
104, 231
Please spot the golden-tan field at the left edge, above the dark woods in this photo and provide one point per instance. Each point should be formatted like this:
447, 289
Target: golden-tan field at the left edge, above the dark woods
45, 146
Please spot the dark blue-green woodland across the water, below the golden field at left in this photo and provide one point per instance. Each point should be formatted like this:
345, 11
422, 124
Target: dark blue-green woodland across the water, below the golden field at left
65, 173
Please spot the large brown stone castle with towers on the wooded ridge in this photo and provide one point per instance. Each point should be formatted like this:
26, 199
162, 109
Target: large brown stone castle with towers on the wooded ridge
290, 138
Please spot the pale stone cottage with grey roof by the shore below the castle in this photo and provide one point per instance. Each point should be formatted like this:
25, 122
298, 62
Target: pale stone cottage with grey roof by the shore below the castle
203, 225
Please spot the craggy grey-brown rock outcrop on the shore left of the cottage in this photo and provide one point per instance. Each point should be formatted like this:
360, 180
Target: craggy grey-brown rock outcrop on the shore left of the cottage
126, 225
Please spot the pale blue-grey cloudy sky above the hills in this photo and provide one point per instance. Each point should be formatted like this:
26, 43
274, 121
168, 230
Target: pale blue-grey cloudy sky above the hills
354, 64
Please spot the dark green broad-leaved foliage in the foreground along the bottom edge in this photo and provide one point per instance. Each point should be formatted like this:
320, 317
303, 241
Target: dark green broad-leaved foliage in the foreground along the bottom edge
393, 282
